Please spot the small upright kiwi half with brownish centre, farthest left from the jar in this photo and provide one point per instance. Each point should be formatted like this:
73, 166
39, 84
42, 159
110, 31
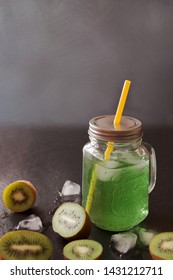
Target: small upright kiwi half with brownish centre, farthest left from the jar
19, 196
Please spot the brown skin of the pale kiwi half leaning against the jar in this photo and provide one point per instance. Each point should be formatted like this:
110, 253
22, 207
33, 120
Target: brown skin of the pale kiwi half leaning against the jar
84, 231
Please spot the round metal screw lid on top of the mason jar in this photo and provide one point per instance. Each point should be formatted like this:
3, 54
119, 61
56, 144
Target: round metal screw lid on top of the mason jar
102, 128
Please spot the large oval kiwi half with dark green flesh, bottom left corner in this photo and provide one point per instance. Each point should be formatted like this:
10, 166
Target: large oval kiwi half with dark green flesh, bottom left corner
25, 245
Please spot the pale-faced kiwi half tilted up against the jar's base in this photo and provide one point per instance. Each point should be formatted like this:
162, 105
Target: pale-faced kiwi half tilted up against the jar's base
71, 221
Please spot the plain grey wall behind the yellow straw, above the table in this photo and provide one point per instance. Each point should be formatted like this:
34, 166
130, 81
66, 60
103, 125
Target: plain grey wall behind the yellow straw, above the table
65, 61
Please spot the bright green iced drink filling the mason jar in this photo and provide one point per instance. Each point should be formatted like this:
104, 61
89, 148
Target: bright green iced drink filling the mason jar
119, 198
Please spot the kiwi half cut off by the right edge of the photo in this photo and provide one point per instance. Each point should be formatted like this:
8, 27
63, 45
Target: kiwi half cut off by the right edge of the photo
161, 246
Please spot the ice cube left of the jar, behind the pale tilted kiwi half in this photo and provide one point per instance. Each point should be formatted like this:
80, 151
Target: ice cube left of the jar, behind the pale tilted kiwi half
71, 191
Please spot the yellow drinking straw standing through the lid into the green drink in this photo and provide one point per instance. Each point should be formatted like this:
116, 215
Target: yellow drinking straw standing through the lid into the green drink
109, 149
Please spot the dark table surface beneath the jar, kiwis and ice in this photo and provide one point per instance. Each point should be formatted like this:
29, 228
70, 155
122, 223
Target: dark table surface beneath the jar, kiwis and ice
48, 156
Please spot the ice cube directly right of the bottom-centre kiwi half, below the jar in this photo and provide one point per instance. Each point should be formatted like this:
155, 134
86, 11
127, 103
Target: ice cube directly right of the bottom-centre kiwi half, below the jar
123, 242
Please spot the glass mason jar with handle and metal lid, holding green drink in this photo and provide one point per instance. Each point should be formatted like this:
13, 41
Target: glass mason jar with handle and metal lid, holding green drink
119, 172
